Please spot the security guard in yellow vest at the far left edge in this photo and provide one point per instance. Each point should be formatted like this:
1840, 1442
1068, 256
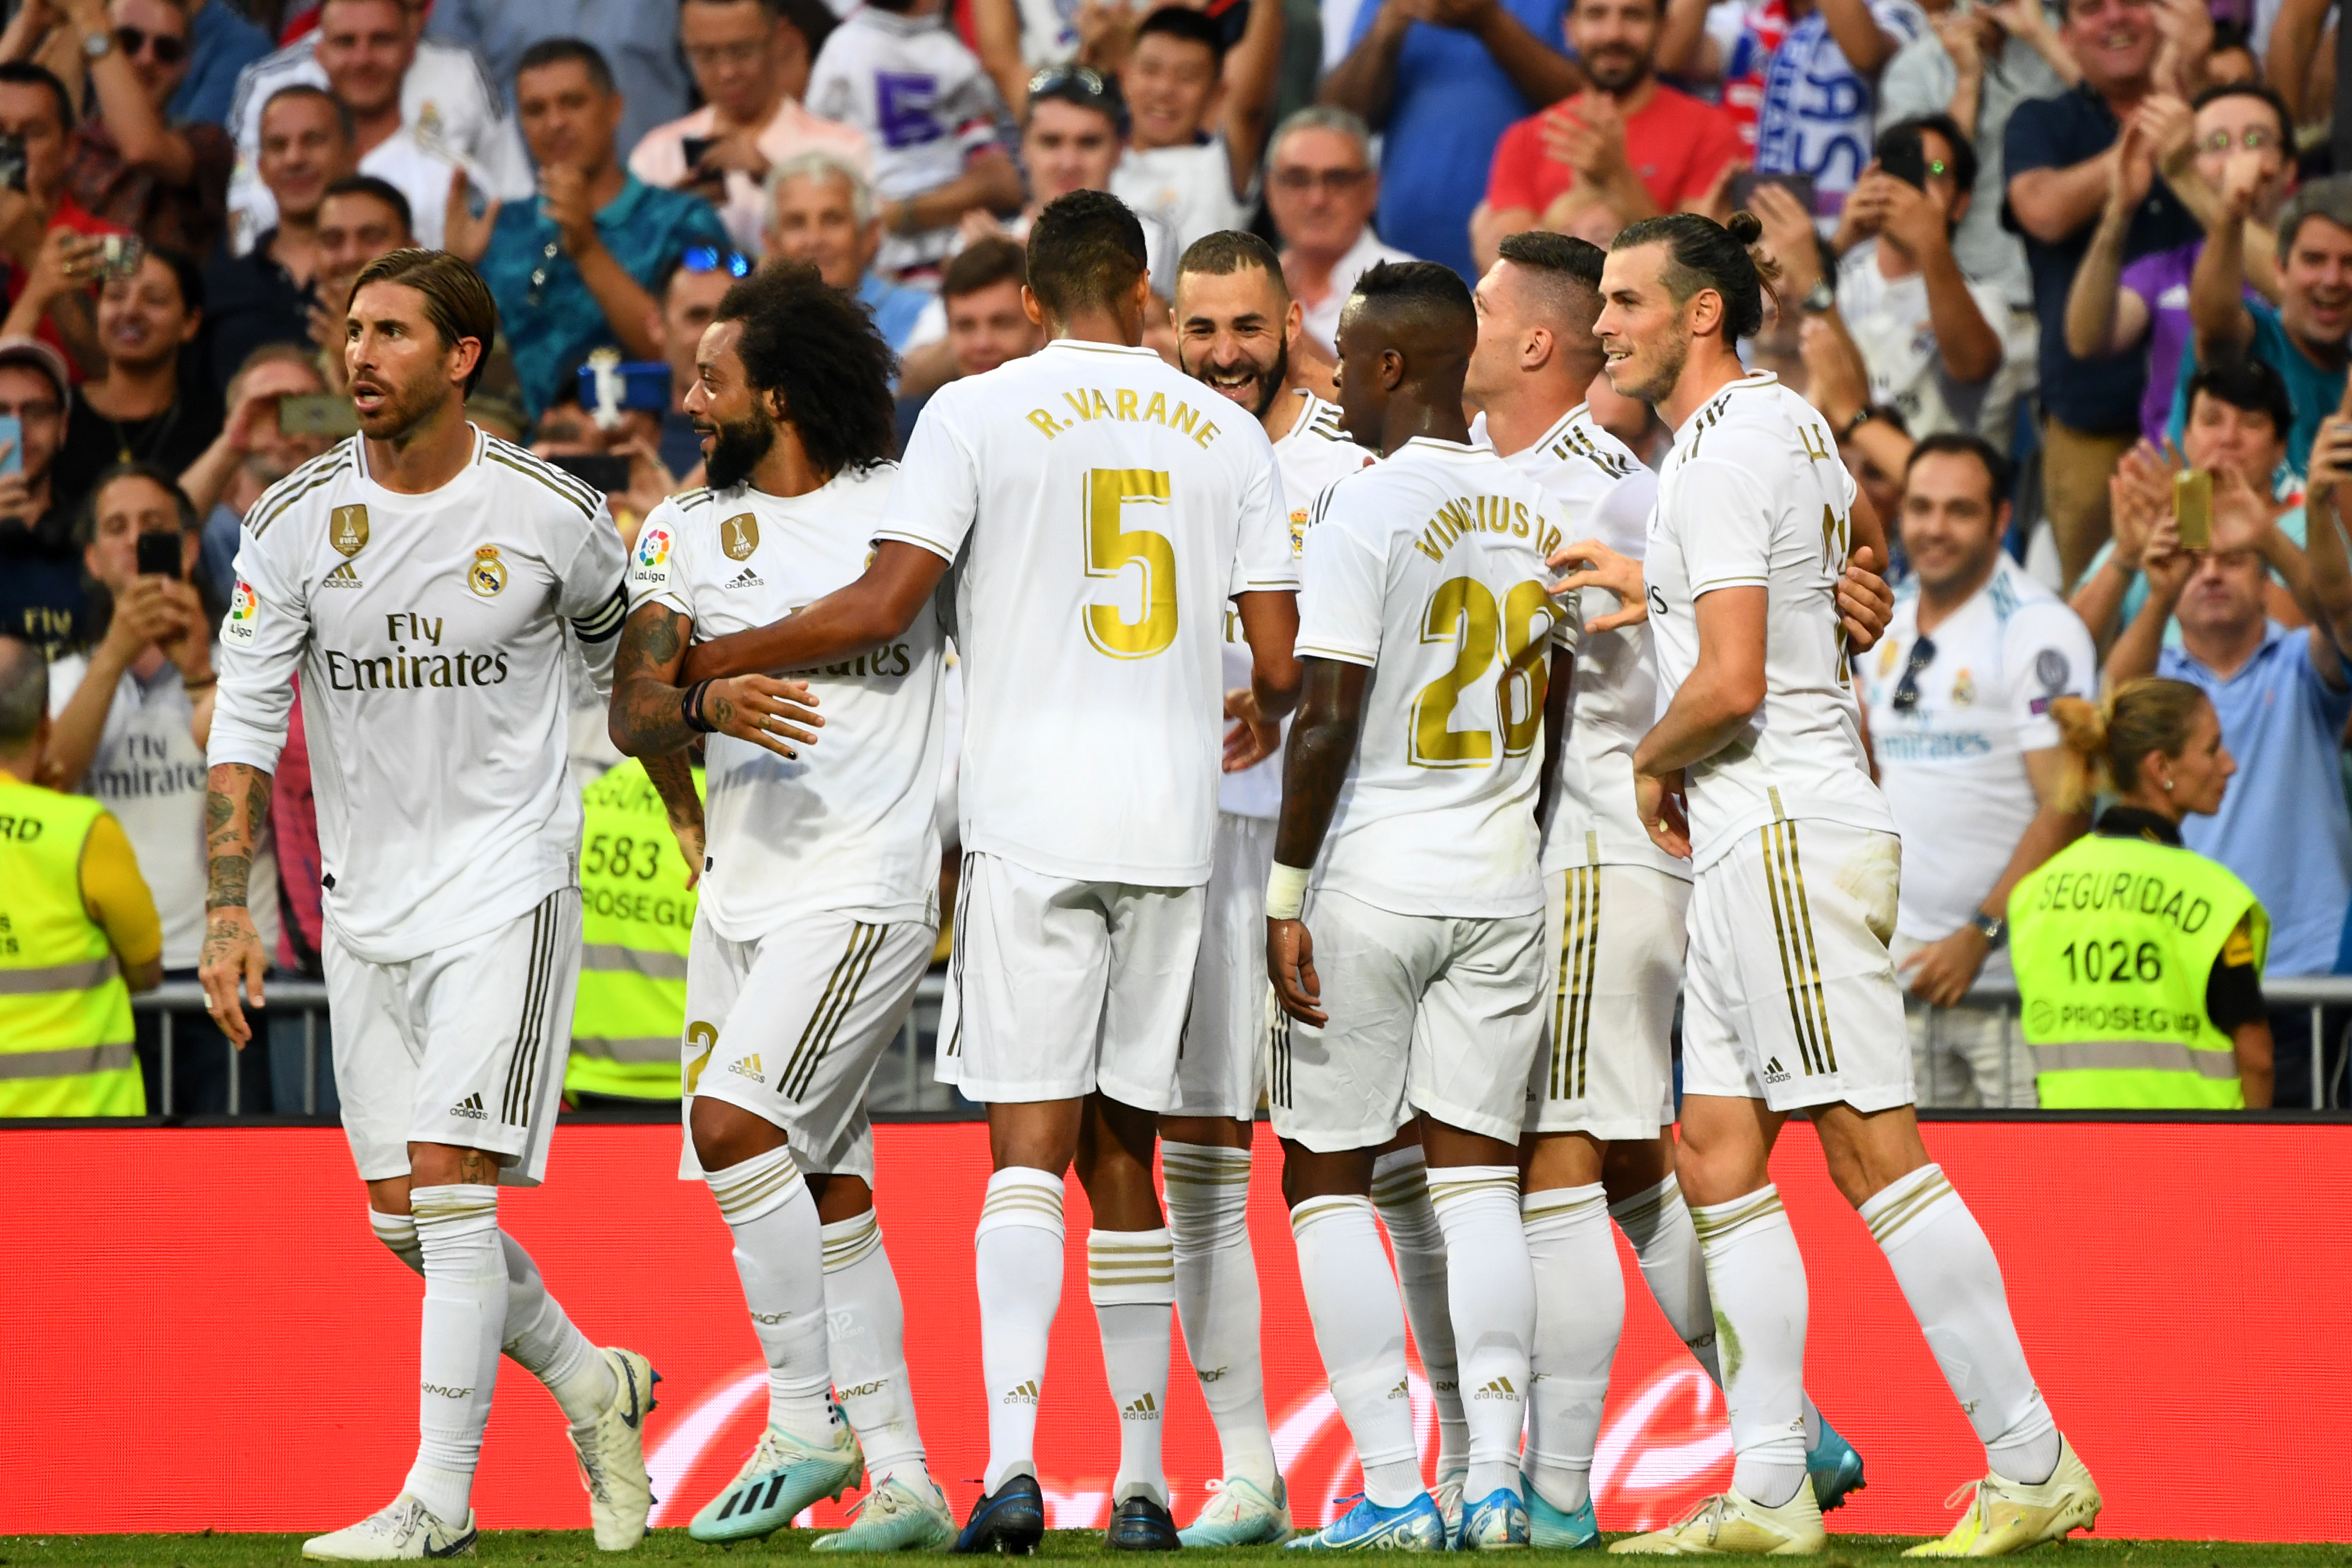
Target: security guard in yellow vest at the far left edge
79, 930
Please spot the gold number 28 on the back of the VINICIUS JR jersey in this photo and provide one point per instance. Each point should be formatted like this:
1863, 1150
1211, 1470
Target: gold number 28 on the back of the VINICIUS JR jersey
1464, 612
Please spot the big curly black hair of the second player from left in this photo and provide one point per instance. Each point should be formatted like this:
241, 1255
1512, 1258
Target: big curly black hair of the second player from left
822, 351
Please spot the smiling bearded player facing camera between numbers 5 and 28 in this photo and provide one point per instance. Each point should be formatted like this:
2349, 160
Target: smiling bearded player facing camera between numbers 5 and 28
1236, 328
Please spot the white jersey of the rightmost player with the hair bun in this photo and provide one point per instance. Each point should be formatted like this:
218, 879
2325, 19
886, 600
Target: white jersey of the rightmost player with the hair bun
1756, 497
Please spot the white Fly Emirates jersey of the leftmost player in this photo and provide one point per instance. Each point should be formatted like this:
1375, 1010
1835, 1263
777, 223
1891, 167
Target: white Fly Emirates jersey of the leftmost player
429, 636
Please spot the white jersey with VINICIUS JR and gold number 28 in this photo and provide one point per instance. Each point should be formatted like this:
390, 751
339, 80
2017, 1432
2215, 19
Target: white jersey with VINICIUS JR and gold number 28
1429, 568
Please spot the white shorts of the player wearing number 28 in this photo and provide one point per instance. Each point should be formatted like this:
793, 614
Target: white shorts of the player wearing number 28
1424, 1014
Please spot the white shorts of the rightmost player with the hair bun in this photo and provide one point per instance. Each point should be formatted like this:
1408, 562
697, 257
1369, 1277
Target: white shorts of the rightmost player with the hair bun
1793, 998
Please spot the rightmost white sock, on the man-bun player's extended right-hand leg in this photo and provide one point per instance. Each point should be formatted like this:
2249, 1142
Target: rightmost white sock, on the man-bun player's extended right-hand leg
1953, 1285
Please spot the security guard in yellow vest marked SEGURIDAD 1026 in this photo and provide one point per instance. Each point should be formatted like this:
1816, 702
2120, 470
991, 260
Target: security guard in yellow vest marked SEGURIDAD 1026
2141, 963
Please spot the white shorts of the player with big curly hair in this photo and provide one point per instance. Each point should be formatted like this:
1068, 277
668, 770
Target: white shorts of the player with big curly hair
794, 1026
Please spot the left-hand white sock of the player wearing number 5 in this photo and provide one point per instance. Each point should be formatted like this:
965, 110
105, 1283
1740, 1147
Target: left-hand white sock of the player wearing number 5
1017, 1264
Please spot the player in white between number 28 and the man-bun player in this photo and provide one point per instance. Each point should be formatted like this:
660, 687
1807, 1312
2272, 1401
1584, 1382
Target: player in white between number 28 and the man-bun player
1603, 1094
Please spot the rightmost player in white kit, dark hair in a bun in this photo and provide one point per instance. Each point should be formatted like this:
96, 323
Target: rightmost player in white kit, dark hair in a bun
1756, 772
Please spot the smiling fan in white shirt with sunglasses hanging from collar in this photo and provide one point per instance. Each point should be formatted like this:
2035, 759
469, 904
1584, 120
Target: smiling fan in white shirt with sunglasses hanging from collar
1970, 758
